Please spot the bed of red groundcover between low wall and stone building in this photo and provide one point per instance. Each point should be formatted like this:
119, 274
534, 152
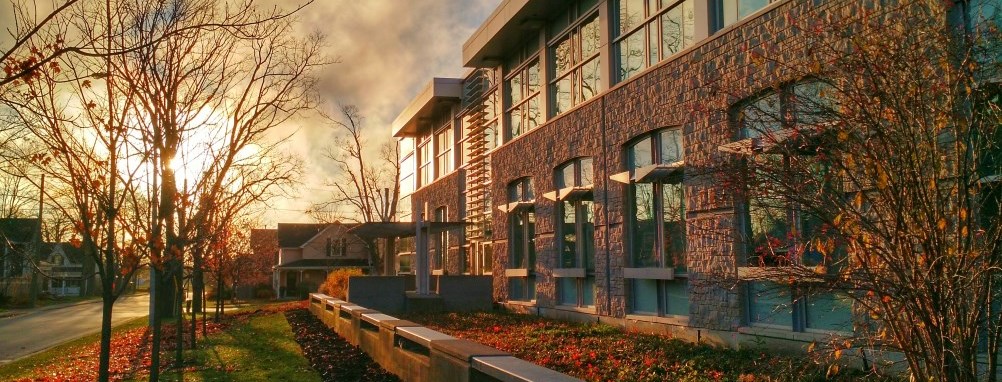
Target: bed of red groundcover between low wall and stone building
598, 352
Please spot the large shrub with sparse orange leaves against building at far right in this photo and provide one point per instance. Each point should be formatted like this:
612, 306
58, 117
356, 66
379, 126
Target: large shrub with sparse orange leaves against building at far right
870, 174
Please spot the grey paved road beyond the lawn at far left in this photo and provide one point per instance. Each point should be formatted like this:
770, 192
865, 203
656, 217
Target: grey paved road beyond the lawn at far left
37, 331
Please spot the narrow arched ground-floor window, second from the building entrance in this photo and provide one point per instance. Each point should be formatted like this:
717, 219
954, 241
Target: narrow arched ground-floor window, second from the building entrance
577, 235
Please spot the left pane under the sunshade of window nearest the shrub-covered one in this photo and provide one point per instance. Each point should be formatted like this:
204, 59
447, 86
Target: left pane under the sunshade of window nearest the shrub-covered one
645, 227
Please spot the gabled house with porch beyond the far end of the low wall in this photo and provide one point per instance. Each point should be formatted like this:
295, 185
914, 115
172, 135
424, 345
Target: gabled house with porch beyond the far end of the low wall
308, 252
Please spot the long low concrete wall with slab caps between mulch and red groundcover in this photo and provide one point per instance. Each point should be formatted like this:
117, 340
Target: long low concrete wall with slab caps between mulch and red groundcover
418, 354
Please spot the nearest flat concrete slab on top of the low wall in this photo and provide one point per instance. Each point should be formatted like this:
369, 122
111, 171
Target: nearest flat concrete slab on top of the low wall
512, 369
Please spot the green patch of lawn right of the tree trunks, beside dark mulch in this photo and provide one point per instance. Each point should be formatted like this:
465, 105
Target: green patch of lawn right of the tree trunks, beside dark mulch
262, 349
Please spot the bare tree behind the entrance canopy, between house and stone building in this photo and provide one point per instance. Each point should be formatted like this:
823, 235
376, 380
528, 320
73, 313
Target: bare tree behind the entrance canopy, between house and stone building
366, 187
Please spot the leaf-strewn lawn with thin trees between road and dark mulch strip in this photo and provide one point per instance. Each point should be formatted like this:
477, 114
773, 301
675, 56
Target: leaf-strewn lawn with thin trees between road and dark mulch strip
255, 344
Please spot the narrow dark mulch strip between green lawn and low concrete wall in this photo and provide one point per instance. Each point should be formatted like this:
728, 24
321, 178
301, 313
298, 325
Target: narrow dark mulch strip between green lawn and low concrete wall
333, 357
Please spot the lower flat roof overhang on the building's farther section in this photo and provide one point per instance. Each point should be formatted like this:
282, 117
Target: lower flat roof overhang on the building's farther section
440, 93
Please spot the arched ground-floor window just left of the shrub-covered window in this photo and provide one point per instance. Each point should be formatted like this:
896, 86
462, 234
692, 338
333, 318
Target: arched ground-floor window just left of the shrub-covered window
656, 165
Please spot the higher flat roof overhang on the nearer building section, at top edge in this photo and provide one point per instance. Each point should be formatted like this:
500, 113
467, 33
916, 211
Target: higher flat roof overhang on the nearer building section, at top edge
504, 31
